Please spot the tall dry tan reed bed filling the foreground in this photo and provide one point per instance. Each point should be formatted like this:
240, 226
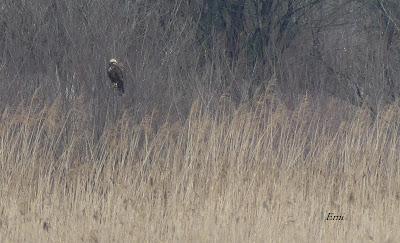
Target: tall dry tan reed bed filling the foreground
259, 172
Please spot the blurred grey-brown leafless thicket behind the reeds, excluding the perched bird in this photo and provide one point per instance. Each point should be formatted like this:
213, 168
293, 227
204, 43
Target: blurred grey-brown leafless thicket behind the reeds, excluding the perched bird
176, 51
